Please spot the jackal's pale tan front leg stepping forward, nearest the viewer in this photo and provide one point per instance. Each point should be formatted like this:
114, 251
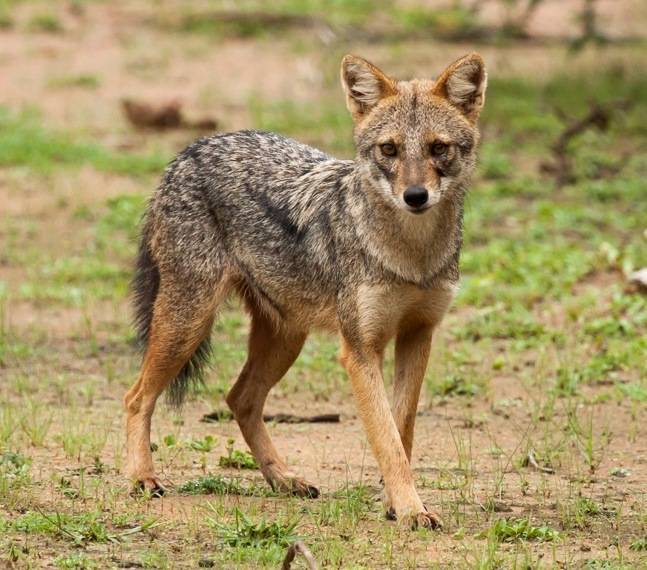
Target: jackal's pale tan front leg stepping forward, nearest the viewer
363, 364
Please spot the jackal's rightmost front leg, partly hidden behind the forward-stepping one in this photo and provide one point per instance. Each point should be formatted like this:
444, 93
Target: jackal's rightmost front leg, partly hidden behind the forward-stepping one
412, 347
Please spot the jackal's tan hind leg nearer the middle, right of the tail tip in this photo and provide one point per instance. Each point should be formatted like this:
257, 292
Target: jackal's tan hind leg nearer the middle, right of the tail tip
271, 353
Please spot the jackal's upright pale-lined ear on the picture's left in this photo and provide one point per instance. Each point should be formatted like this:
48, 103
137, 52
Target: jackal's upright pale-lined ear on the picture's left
364, 84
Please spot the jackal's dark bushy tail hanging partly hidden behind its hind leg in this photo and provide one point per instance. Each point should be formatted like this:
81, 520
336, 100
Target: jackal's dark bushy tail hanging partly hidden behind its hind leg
145, 287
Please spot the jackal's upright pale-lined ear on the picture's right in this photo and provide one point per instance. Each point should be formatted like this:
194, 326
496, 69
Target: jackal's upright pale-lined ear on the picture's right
463, 84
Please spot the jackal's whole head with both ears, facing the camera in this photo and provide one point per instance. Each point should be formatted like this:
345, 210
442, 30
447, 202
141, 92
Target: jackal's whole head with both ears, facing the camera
416, 140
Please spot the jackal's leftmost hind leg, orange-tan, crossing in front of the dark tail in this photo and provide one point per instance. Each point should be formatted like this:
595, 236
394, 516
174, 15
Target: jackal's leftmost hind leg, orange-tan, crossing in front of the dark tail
182, 319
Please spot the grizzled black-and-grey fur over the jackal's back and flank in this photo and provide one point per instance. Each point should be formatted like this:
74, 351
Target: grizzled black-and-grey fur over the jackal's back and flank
262, 207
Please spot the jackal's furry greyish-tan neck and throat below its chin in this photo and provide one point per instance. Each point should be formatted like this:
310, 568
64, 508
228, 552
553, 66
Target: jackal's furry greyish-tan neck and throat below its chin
415, 247
